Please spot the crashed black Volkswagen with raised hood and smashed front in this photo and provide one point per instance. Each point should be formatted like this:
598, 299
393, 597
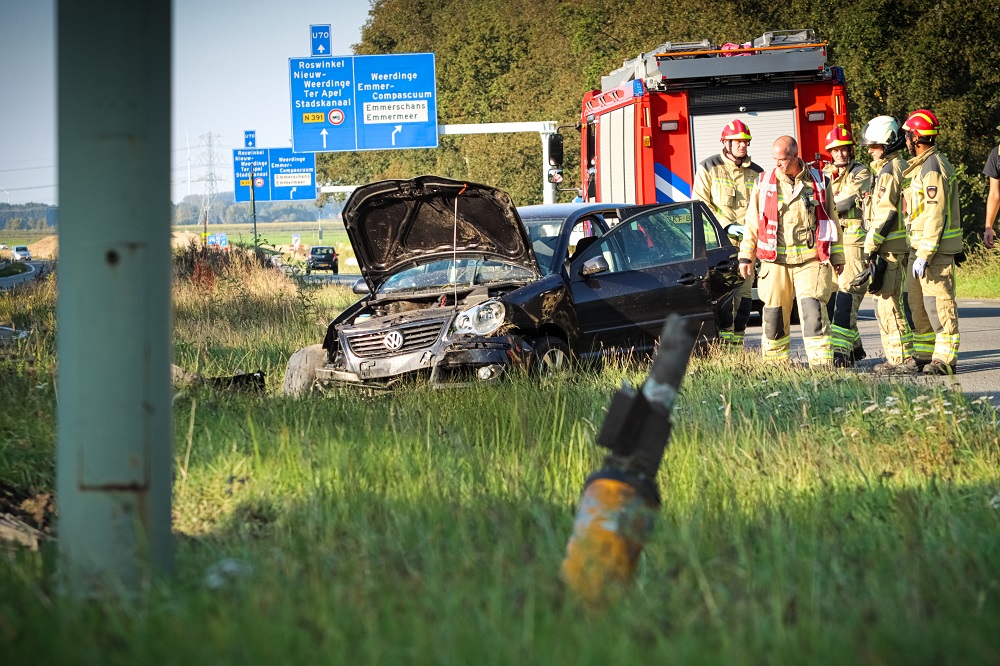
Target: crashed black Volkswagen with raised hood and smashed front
458, 283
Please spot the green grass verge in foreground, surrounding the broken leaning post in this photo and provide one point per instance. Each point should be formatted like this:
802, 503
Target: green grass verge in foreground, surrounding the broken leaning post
808, 517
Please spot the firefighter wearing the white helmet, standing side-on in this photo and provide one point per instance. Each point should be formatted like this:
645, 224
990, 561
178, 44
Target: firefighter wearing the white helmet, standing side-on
885, 244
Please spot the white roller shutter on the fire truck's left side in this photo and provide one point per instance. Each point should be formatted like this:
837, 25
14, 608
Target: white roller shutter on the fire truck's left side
616, 134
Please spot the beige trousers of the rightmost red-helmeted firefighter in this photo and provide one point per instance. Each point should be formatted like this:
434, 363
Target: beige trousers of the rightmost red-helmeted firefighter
932, 309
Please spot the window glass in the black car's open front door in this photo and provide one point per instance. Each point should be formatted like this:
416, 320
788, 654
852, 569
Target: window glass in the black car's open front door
658, 237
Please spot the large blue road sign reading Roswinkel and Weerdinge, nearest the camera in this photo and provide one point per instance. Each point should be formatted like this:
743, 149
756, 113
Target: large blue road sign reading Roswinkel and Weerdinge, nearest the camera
379, 102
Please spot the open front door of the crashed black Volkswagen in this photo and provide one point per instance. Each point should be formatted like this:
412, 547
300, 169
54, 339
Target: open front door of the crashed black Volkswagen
656, 265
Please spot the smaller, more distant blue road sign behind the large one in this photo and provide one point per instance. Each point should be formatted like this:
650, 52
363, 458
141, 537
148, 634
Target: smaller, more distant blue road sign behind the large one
275, 174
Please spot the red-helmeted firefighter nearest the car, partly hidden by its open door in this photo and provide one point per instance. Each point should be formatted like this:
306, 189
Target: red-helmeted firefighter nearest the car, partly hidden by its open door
724, 182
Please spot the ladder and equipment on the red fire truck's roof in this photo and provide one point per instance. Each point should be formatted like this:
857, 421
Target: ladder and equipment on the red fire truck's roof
781, 51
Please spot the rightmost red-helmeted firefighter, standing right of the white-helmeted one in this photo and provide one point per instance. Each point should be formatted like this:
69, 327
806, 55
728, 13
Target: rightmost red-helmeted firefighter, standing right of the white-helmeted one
935, 235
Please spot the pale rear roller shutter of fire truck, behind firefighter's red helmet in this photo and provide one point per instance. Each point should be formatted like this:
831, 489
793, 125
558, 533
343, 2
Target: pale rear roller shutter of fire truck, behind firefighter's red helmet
765, 127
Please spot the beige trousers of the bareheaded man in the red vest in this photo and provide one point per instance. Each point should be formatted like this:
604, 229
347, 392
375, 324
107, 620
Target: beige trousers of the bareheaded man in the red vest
809, 285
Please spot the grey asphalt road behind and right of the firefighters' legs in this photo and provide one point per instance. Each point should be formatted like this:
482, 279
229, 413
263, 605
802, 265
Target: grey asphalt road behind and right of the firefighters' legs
978, 354
